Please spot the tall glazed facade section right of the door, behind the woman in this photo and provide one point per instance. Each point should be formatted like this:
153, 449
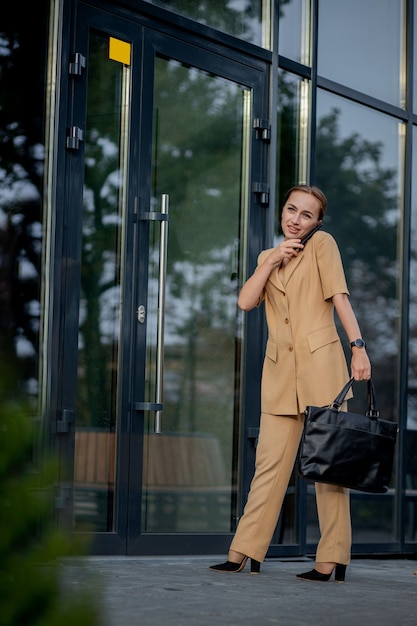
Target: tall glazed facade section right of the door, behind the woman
357, 155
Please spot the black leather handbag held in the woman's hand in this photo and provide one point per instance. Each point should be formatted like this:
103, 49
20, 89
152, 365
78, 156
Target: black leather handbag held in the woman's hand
348, 449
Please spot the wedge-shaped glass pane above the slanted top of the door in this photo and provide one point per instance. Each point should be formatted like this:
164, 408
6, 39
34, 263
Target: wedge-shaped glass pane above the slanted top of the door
246, 19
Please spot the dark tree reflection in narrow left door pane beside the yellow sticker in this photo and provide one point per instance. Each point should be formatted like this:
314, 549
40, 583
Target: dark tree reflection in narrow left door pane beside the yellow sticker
100, 295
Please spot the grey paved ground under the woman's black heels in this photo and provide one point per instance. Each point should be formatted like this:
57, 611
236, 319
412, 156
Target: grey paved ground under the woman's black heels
182, 591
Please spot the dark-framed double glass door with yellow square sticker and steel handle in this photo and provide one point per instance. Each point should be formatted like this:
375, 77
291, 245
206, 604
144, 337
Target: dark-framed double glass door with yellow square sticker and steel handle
161, 159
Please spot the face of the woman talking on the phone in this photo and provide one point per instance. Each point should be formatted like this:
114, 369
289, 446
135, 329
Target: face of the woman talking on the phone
301, 213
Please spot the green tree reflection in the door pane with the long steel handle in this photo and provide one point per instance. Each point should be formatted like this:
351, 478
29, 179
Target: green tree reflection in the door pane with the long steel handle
198, 161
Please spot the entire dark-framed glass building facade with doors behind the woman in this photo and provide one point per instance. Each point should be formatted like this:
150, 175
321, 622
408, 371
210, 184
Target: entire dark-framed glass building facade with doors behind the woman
343, 87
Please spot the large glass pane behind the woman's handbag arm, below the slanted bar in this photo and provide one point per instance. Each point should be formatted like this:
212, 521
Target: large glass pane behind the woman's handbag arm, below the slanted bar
359, 166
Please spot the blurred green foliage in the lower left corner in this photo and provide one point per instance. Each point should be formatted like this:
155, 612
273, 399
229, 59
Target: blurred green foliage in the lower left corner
32, 549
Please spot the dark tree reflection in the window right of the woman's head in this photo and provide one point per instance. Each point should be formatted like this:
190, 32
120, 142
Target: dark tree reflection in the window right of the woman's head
363, 217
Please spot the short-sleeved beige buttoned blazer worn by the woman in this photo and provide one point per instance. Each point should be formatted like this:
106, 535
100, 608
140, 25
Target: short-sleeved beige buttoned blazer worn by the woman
304, 360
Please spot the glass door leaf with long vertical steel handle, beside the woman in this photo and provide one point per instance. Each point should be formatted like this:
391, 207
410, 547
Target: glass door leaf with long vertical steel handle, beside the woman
188, 416
